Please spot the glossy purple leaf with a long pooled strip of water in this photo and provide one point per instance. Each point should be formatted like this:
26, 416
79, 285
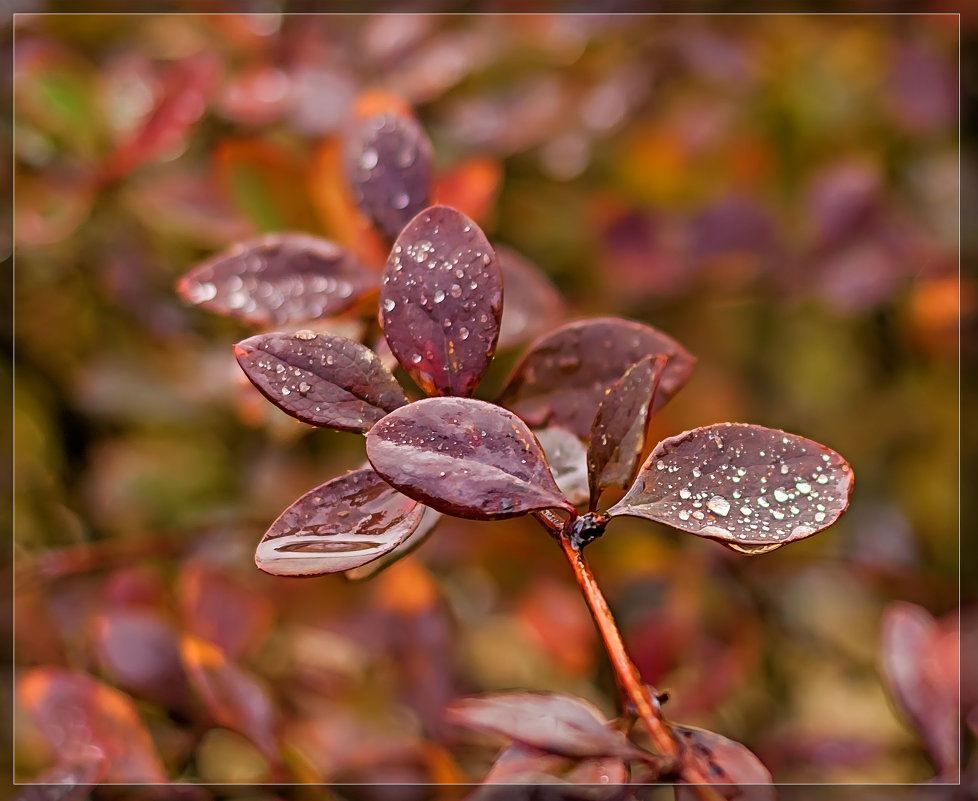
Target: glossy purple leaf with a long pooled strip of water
339, 525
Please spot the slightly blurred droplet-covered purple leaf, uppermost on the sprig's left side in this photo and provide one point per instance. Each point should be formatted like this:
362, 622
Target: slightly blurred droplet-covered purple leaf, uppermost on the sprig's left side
278, 279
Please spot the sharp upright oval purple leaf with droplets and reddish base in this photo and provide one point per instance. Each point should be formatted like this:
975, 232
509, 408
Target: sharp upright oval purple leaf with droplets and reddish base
441, 301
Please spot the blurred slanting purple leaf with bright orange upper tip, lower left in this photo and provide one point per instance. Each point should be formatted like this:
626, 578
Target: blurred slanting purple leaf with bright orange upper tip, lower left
233, 696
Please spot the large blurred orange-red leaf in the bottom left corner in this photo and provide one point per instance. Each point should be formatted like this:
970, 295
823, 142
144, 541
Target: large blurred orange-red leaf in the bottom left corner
84, 720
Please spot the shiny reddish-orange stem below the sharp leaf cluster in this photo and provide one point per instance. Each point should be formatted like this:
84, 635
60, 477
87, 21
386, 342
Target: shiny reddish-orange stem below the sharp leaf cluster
638, 695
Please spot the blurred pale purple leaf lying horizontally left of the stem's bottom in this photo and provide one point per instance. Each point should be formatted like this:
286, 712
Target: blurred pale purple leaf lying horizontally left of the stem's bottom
558, 724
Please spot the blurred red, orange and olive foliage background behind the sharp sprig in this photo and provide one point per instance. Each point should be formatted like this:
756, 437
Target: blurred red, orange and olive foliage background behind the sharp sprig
780, 194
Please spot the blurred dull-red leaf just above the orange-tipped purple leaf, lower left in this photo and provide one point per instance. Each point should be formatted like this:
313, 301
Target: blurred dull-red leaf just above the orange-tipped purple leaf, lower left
223, 609
